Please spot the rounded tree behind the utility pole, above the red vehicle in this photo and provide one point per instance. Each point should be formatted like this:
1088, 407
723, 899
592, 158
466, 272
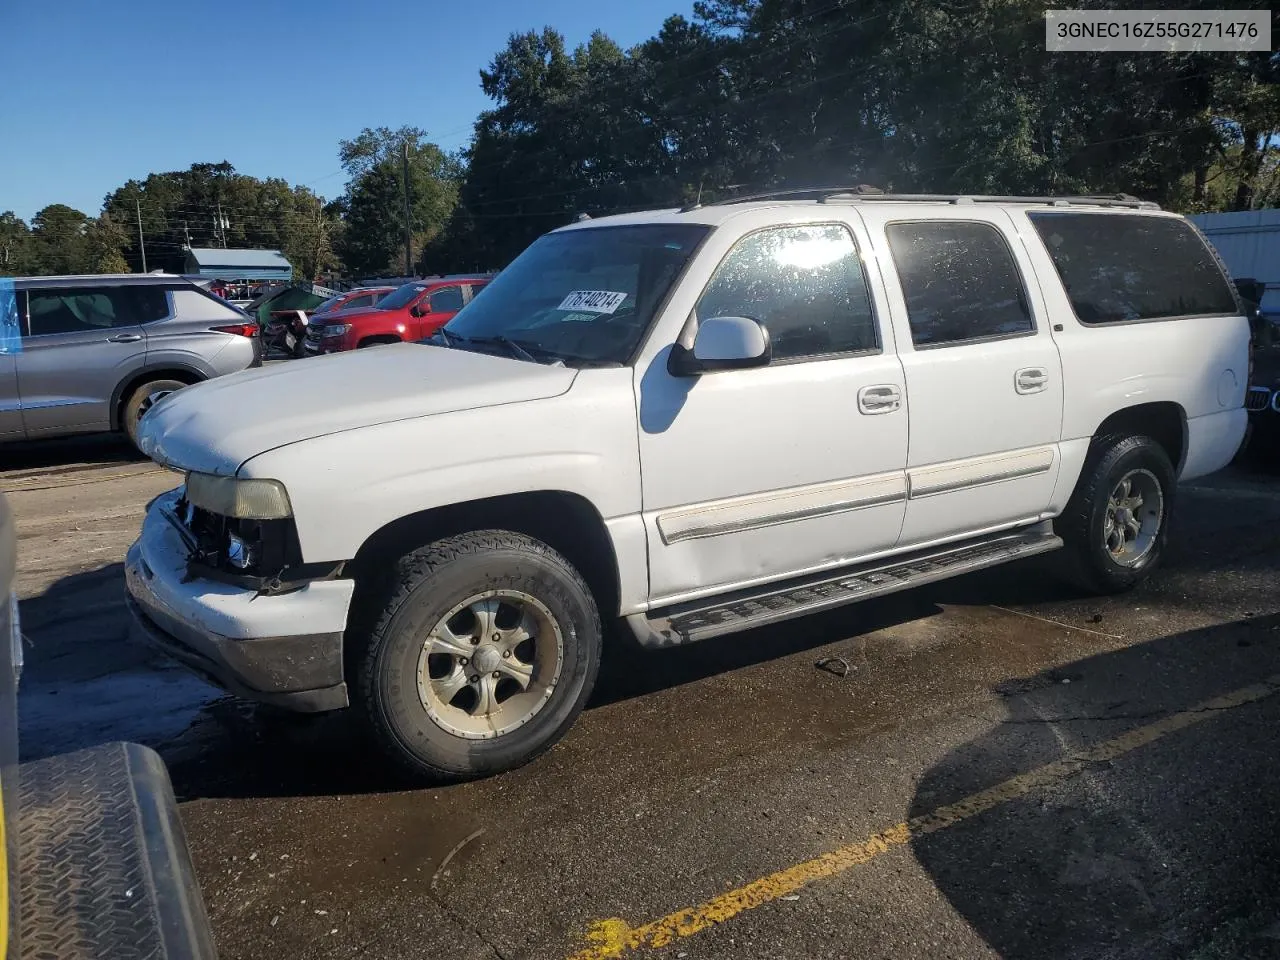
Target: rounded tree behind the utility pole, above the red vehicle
373, 237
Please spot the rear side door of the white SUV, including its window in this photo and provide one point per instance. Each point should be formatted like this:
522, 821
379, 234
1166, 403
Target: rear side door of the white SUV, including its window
984, 376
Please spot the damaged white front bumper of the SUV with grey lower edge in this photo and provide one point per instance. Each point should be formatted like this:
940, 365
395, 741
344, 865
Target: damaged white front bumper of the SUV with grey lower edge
282, 650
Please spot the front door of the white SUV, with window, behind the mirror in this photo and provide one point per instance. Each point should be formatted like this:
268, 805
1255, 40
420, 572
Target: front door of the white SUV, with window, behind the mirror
760, 474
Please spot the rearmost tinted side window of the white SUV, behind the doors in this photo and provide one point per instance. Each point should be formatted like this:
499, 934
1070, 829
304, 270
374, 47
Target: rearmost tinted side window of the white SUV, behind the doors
1127, 267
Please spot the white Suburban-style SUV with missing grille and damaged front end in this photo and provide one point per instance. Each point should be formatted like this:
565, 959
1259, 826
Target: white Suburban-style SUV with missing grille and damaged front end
694, 422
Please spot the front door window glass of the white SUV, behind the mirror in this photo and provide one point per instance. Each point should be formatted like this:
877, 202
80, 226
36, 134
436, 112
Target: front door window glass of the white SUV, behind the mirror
804, 284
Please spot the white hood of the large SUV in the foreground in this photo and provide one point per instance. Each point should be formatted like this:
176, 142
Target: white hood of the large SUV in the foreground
217, 426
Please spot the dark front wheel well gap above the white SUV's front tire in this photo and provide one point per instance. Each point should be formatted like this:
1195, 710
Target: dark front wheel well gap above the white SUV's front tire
565, 522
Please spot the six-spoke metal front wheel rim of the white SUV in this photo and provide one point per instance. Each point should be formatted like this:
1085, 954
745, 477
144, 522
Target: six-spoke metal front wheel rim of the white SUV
491, 665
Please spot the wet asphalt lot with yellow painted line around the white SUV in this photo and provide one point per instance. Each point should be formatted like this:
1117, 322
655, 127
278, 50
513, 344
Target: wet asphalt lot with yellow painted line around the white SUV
1008, 769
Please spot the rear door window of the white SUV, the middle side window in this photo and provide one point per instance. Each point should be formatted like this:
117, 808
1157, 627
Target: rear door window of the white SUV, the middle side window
961, 282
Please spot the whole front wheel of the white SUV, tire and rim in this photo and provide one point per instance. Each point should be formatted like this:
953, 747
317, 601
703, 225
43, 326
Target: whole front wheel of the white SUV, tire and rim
482, 657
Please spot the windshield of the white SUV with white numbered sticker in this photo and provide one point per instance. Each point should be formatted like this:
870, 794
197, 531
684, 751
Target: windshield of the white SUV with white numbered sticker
583, 295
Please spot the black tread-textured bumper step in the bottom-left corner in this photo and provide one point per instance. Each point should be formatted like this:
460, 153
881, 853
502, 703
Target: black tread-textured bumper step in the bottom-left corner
104, 867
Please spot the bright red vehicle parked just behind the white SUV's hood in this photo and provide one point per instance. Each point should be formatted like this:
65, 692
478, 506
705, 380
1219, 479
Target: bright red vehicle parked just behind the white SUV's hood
413, 313
